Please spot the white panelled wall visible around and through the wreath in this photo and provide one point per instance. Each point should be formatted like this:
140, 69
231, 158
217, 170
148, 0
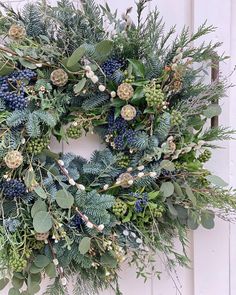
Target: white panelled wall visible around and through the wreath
213, 252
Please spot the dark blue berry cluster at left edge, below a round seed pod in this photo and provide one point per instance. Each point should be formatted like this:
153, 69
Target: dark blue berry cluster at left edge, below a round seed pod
13, 188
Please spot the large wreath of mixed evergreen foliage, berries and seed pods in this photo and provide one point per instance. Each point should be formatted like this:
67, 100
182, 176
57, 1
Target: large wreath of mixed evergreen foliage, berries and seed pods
66, 72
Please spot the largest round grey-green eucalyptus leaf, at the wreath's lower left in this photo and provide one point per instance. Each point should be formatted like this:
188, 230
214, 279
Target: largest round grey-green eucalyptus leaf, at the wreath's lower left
42, 222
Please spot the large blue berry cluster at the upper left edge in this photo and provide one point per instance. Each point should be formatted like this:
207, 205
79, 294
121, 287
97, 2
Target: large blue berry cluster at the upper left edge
12, 88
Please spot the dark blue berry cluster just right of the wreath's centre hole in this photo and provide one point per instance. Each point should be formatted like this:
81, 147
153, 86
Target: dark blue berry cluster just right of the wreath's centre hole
122, 135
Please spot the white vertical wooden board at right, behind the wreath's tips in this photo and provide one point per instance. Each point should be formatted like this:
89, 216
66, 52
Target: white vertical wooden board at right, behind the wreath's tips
211, 248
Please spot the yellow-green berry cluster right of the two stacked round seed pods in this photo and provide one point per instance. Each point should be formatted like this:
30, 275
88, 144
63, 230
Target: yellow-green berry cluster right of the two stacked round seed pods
155, 96
